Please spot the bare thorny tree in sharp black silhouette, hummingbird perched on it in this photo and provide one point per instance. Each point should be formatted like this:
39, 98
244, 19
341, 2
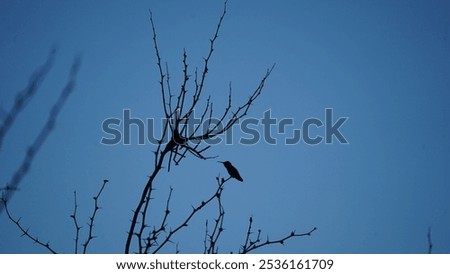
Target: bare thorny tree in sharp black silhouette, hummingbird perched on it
178, 110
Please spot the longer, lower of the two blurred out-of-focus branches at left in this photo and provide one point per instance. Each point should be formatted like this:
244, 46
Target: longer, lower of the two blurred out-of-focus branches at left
43, 134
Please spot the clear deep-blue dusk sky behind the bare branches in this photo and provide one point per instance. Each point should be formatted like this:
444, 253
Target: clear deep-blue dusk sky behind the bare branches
383, 64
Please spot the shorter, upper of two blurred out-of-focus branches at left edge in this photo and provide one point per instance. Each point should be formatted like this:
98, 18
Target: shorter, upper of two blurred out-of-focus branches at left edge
25, 95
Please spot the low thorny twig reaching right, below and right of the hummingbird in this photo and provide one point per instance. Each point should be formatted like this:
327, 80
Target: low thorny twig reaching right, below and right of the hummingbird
250, 245
